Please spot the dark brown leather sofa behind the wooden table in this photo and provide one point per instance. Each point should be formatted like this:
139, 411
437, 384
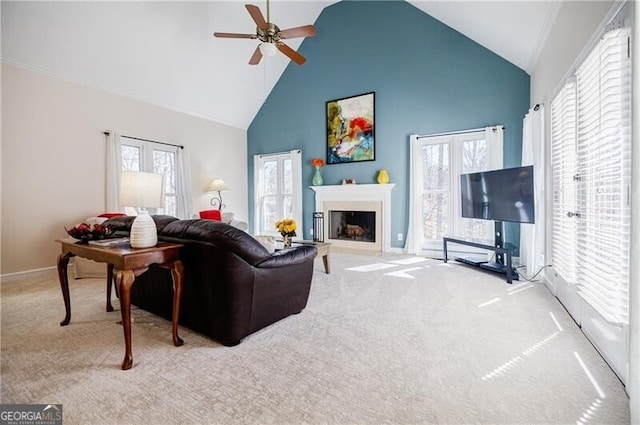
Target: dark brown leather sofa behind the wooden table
232, 285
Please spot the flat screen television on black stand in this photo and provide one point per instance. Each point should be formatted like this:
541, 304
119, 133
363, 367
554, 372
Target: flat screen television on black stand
500, 195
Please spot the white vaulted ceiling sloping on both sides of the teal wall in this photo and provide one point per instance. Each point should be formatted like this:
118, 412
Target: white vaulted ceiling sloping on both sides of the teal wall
164, 53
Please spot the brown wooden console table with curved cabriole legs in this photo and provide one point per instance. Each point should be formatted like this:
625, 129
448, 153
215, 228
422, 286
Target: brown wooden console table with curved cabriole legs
127, 263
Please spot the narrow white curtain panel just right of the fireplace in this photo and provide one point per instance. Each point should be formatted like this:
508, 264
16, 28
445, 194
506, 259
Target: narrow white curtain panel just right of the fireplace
413, 243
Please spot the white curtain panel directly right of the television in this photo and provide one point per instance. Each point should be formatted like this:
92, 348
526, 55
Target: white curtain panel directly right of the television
532, 236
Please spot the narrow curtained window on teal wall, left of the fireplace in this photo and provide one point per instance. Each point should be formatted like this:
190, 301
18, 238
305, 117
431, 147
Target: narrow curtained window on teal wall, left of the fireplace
278, 191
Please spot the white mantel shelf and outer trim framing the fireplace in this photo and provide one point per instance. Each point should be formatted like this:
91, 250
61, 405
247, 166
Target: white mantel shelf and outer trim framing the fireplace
360, 192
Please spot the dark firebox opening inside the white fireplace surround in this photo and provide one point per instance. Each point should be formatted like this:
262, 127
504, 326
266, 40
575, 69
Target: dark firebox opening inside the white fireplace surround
353, 225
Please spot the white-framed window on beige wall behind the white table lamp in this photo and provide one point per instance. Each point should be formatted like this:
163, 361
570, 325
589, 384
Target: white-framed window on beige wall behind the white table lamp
156, 158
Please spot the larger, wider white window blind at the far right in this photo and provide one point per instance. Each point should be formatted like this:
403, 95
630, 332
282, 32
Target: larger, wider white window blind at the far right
604, 170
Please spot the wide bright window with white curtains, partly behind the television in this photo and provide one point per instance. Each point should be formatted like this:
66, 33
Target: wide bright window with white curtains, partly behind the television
437, 162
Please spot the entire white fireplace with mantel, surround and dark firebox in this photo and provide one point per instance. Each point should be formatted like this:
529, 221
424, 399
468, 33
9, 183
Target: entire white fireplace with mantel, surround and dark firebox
356, 216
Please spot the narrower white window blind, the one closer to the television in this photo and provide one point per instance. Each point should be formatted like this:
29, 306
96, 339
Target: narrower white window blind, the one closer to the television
563, 170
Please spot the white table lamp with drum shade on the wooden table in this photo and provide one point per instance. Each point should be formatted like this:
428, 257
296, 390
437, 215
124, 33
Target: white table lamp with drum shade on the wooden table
143, 190
